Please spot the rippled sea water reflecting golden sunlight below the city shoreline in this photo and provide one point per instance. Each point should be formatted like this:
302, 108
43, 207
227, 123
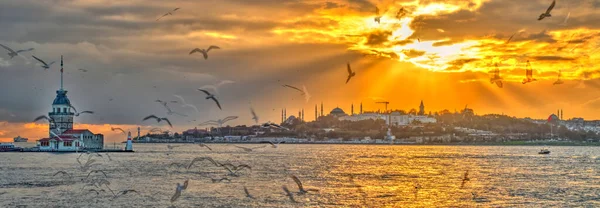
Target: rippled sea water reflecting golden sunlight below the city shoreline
346, 176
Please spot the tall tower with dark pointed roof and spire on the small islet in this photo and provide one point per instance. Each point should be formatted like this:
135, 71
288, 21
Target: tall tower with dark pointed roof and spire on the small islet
61, 109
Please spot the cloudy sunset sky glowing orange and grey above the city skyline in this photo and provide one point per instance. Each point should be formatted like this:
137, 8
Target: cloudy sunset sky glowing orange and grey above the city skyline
440, 52
